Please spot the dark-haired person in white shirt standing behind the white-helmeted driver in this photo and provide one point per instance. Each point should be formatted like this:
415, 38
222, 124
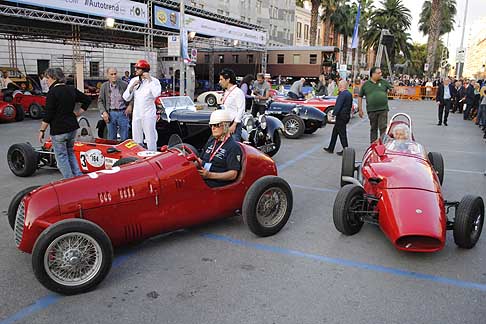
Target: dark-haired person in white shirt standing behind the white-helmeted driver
233, 101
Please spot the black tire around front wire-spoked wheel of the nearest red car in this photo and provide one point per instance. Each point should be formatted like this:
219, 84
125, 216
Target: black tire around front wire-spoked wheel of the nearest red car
65, 227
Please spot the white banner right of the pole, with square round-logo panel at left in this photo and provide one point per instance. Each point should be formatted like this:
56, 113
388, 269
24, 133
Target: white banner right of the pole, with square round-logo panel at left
167, 18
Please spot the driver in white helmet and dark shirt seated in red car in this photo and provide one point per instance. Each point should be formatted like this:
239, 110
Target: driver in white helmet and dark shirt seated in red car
221, 157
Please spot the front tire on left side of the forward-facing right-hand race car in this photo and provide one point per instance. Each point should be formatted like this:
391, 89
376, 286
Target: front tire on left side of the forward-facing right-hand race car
347, 198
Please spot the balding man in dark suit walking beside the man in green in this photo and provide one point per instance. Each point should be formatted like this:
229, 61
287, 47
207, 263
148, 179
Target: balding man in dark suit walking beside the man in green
342, 111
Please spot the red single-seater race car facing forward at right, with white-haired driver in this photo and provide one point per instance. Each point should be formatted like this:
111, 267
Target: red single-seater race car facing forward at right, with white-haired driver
398, 188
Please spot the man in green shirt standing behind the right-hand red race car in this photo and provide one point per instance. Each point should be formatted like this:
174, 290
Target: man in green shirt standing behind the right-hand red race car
376, 92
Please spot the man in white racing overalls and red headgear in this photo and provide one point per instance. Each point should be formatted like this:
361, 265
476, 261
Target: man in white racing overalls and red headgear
143, 89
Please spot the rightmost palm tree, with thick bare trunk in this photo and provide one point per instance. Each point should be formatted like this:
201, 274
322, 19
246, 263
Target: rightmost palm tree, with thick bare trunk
437, 19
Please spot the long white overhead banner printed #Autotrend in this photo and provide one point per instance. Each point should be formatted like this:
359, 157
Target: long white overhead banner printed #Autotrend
117, 9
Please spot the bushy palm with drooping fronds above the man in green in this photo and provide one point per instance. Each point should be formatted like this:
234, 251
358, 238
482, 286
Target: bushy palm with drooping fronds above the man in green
395, 17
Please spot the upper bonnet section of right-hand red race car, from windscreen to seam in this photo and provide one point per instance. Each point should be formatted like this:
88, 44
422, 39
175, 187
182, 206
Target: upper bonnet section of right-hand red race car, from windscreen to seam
401, 171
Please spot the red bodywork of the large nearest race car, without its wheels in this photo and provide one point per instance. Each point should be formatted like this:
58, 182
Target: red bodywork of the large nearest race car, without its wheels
140, 199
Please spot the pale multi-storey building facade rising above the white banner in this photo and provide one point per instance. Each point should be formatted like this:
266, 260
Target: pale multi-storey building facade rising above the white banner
277, 17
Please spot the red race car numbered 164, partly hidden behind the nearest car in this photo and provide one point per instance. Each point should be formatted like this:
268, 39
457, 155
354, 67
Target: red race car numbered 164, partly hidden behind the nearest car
92, 154
